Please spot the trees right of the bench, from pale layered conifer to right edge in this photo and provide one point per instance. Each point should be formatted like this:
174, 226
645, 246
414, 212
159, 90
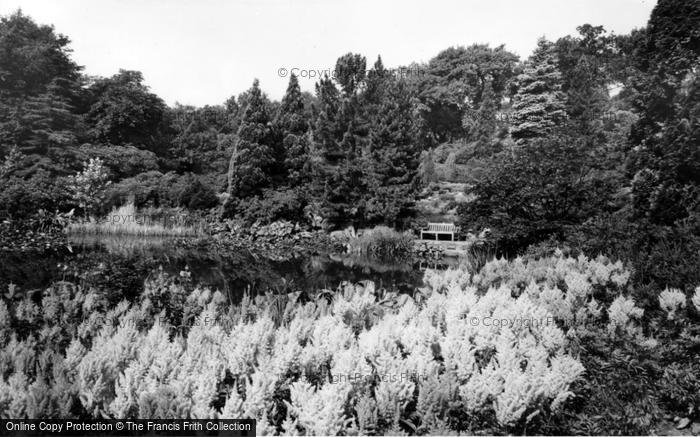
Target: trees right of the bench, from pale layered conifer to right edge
601, 173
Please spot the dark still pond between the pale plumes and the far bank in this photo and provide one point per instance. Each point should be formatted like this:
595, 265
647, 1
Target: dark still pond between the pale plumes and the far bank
122, 264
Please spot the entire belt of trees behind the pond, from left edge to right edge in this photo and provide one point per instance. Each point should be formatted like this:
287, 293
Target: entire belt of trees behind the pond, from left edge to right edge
594, 134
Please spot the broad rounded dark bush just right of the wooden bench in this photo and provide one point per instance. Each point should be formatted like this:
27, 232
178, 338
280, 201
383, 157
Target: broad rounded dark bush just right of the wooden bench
536, 191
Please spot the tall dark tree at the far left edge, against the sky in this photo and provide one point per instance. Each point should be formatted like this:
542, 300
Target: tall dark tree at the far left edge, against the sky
40, 88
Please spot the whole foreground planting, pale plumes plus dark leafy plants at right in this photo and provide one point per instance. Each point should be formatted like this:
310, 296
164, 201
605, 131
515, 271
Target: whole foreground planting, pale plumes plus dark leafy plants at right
555, 345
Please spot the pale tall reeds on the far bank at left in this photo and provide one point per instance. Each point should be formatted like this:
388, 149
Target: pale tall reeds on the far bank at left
126, 220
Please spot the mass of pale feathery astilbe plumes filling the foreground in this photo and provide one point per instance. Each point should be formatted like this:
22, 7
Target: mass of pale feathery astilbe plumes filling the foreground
493, 344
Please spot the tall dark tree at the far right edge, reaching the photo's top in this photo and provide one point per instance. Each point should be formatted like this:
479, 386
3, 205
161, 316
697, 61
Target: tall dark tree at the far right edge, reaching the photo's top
665, 155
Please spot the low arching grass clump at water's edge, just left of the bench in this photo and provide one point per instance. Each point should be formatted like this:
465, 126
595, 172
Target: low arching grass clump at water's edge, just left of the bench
382, 242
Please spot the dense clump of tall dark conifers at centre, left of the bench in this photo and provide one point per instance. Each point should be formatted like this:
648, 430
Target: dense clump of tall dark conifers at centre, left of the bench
365, 160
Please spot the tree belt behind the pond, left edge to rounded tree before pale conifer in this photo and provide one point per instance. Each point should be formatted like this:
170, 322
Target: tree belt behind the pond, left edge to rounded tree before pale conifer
348, 154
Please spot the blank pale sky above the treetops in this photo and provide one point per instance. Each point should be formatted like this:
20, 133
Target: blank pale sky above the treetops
203, 51
